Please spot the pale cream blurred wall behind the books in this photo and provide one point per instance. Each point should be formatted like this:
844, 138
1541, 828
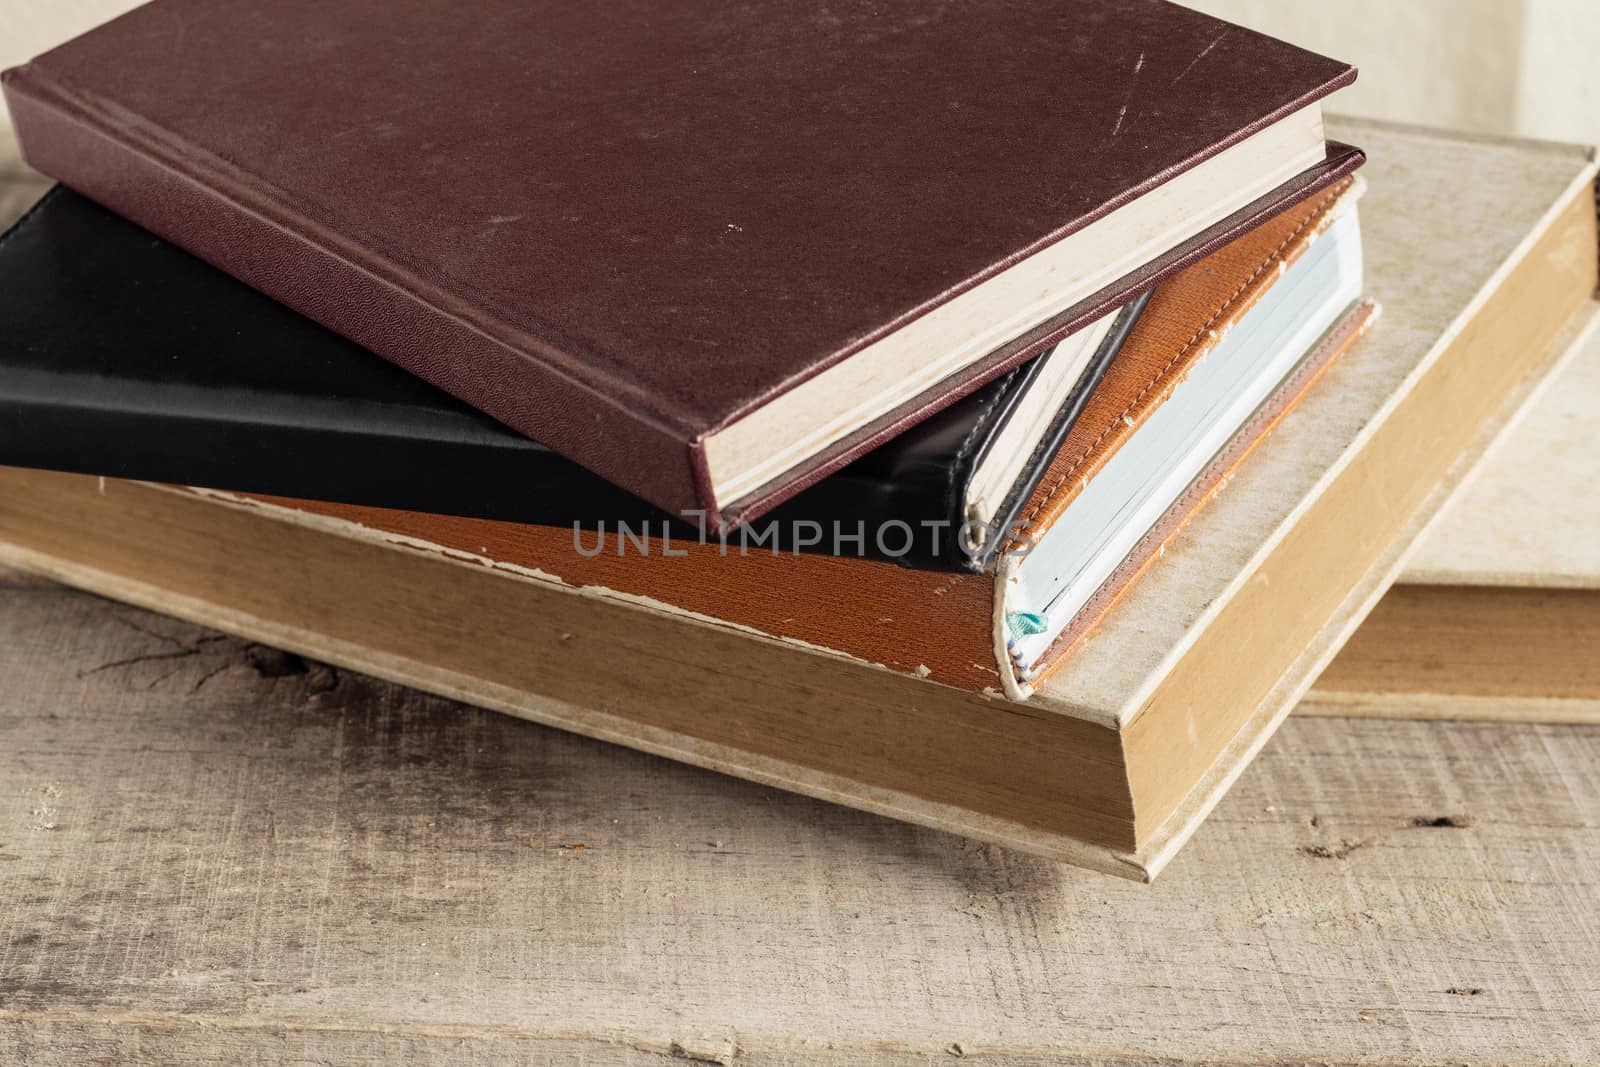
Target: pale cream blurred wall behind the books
1529, 68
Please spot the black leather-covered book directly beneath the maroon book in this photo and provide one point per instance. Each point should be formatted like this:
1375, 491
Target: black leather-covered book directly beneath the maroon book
124, 356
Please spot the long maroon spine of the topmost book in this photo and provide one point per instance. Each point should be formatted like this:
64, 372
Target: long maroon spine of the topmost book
215, 214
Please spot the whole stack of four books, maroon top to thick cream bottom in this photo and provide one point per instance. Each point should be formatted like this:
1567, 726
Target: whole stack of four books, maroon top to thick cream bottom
830, 398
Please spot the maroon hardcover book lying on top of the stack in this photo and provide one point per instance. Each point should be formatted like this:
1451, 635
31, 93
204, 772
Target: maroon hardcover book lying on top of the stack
710, 250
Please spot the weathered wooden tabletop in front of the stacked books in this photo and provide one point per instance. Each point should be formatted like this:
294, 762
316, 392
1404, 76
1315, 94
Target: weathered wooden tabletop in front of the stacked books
217, 853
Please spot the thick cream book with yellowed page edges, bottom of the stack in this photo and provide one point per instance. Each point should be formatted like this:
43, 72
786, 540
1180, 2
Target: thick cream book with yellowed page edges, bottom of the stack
1118, 756
